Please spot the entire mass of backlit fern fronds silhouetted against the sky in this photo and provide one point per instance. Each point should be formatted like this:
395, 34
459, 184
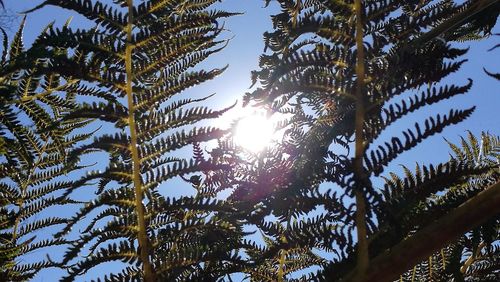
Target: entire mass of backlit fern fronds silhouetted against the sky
319, 205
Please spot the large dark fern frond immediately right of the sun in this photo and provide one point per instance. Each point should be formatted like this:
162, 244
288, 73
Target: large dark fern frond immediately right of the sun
312, 75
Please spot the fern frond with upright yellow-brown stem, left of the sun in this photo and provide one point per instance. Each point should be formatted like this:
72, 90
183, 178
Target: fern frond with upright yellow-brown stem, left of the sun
144, 55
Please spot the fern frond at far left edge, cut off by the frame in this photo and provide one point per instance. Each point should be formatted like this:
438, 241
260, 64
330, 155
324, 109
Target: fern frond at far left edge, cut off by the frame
35, 142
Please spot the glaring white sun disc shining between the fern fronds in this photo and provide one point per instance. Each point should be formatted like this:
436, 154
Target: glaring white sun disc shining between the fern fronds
254, 132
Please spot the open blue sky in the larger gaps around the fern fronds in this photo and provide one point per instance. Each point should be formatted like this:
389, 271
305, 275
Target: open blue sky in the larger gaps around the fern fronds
246, 45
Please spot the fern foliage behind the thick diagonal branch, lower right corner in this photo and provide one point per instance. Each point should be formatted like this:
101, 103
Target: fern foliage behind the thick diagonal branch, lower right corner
474, 256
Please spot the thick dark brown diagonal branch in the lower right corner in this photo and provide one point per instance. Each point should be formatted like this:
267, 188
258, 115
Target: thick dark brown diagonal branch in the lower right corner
389, 265
